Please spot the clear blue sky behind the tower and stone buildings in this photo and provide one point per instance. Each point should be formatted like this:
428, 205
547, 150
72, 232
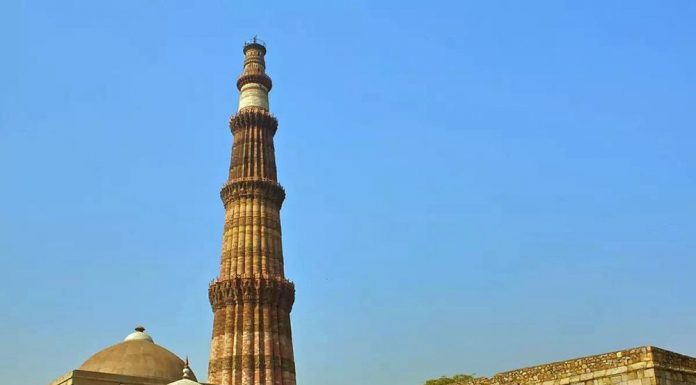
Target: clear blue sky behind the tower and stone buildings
473, 186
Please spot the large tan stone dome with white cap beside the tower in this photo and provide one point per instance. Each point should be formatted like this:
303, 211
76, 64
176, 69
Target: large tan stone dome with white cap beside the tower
139, 356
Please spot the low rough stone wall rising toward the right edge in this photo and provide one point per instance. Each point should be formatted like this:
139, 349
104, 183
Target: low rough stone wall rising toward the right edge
639, 366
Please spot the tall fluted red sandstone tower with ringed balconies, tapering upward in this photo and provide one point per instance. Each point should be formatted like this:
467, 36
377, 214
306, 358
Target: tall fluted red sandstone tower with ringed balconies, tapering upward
251, 299
